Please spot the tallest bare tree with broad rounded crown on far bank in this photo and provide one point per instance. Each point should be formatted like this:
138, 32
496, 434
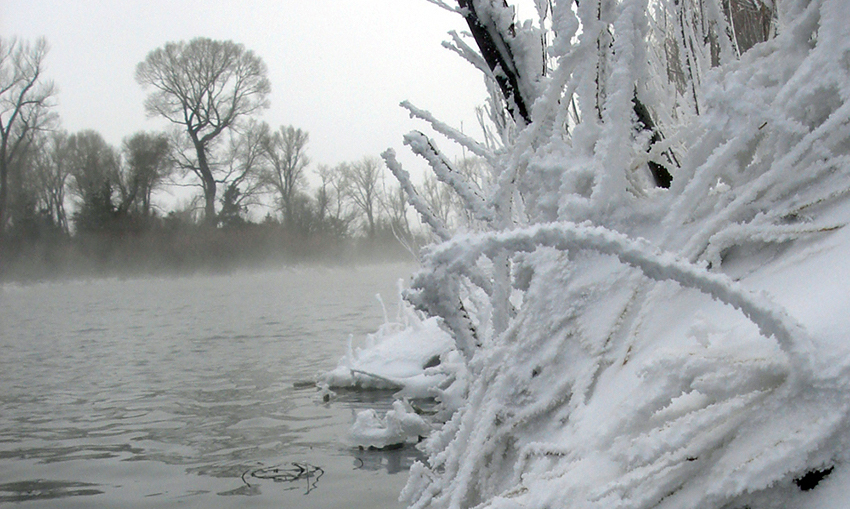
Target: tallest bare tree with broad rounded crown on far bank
205, 87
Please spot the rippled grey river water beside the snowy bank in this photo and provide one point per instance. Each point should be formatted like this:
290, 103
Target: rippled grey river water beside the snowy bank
189, 391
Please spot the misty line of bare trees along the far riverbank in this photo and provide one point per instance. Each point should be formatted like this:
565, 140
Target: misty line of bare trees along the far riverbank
71, 200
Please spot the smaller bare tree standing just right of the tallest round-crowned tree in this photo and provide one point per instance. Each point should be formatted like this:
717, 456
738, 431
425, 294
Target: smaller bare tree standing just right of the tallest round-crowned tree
285, 150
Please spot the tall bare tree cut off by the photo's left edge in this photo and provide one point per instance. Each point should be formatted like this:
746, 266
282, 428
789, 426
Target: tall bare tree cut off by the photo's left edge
24, 104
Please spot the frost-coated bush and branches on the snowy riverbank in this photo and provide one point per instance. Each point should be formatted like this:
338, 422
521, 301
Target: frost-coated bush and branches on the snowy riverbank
651, 301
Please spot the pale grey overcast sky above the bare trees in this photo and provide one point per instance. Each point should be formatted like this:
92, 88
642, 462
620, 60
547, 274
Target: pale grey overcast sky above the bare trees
338, 68
